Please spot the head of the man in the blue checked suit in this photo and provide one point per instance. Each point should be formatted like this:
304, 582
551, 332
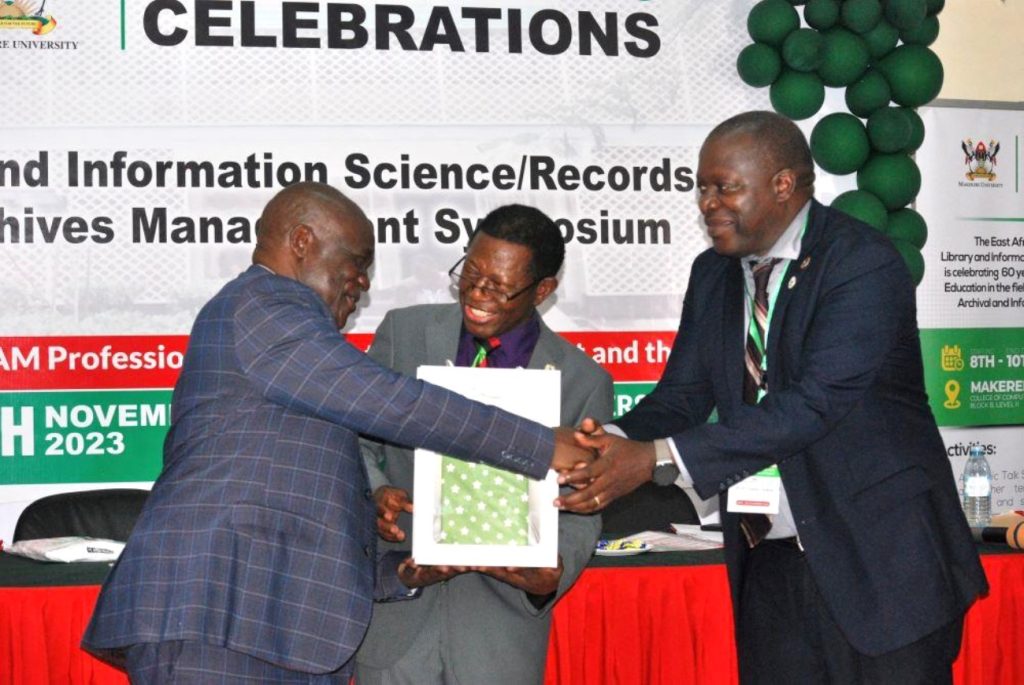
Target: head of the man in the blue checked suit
315, 235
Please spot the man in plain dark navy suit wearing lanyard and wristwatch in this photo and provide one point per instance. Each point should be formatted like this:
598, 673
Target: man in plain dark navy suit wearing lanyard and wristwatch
851, 563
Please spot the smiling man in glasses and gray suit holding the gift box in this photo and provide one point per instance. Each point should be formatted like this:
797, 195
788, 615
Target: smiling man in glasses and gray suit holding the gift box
486, 625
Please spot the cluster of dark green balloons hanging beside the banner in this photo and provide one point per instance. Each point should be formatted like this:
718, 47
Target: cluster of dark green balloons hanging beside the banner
878, 51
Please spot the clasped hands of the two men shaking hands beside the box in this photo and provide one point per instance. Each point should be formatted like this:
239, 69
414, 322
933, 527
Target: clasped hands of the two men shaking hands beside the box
602, 467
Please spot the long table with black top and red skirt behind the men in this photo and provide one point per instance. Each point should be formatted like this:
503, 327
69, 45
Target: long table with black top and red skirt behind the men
645, 621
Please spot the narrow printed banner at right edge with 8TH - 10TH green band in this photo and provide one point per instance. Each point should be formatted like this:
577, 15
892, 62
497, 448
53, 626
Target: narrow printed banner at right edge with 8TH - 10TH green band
971, 302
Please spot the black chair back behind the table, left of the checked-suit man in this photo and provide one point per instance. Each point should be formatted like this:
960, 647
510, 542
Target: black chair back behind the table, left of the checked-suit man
109, 515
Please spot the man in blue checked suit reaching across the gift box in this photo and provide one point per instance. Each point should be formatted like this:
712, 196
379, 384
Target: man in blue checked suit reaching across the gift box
255, 558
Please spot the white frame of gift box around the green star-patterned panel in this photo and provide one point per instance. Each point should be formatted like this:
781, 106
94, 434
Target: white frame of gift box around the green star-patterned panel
531, 394
